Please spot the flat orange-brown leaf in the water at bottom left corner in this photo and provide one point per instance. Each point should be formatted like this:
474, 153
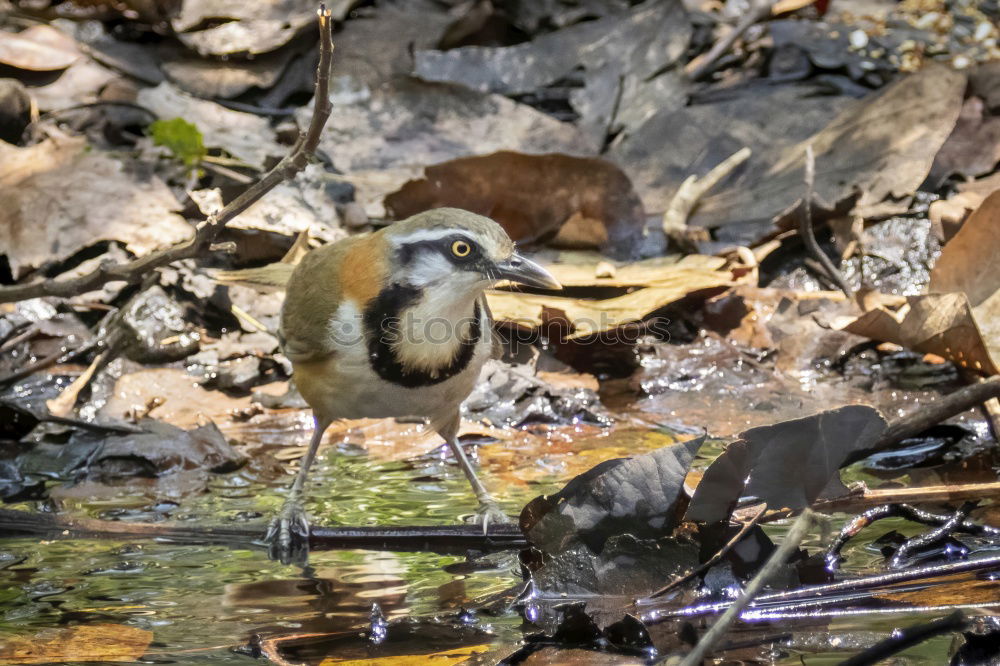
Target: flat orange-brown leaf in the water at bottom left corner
84, 643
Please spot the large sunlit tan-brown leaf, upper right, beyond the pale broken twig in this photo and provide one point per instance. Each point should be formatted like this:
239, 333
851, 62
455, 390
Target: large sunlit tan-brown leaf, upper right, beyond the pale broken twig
883, 146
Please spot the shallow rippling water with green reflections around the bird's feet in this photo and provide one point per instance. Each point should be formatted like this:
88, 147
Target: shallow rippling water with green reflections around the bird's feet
203, 602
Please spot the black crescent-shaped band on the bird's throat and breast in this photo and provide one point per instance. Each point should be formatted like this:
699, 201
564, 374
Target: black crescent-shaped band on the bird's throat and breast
384, 324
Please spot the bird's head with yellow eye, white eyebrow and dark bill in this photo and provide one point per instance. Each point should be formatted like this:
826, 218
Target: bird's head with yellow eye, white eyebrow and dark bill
465, 252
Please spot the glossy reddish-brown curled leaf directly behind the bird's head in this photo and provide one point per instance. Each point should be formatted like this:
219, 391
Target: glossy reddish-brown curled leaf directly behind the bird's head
532, 196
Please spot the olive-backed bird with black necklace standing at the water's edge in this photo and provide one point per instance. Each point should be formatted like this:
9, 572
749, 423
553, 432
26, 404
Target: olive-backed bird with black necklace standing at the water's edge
394, 323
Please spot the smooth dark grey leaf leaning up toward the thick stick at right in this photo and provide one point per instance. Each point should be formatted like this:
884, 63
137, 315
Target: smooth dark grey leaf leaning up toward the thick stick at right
788, 464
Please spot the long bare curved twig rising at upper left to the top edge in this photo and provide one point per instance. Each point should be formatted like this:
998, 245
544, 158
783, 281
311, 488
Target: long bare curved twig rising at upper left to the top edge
207, 231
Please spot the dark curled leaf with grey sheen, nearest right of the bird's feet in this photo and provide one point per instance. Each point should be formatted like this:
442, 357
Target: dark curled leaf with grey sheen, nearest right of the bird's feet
636, 496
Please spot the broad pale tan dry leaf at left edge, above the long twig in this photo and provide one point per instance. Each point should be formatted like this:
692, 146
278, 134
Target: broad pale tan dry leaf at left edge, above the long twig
57, 197
